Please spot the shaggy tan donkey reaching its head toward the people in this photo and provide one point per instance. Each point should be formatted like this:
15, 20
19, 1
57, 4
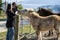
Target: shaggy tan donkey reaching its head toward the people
40, 23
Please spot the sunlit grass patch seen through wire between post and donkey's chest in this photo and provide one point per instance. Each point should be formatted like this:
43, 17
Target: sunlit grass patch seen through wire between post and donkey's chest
26, 29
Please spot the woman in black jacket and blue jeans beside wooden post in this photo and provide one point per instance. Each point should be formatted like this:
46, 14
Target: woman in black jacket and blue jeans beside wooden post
9, 23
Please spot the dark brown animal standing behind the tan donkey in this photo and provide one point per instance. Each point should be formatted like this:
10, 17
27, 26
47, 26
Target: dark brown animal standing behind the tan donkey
44, 12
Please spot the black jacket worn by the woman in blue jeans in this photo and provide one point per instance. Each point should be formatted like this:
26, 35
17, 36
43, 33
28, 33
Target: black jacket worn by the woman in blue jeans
10, 19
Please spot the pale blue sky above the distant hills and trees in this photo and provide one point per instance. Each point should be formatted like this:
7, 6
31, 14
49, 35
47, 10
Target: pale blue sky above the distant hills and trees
34, 3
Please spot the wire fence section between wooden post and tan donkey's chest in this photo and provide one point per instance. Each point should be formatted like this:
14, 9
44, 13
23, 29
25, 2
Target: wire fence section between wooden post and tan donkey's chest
25, 26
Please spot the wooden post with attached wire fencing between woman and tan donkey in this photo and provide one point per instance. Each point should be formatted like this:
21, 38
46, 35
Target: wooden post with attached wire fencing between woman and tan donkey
22, 27
